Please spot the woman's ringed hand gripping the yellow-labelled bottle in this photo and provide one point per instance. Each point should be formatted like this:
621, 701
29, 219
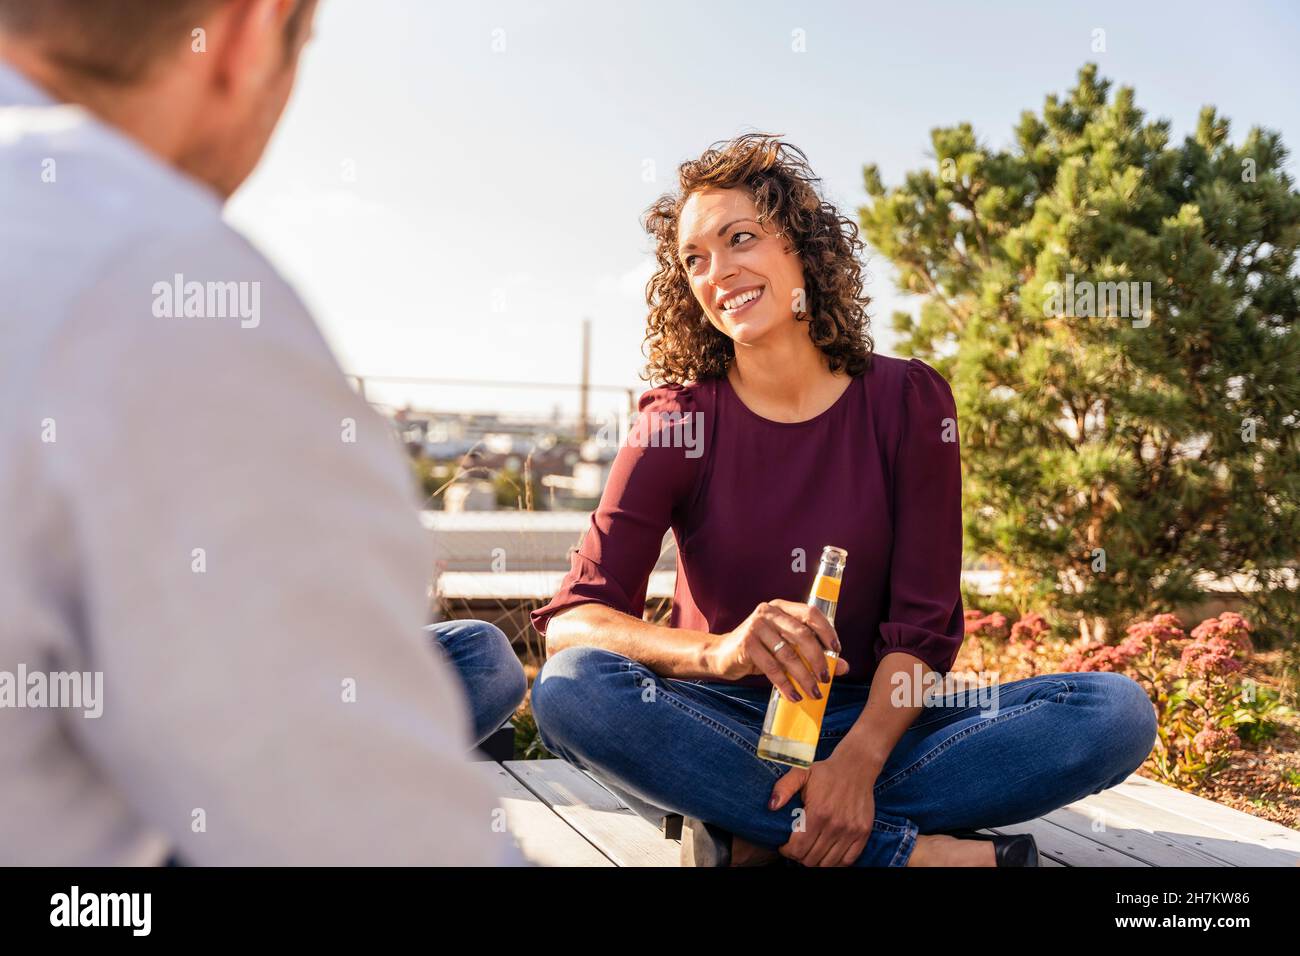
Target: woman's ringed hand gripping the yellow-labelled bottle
781, 639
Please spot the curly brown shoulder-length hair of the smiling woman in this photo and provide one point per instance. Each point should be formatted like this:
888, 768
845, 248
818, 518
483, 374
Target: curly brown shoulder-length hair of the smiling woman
681, 343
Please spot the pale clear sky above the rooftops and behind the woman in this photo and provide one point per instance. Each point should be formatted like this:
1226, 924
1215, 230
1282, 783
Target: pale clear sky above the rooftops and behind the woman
457, 185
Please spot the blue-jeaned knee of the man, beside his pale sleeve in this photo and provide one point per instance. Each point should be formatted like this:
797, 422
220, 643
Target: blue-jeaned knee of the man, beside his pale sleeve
488, 668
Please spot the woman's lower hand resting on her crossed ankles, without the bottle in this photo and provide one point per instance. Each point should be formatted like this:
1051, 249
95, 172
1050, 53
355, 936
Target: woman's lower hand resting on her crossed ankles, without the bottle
839, 812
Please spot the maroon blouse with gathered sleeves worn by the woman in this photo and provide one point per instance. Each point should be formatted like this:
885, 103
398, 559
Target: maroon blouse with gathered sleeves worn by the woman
752, 503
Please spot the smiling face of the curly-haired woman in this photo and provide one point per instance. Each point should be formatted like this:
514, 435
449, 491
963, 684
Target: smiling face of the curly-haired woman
744, 275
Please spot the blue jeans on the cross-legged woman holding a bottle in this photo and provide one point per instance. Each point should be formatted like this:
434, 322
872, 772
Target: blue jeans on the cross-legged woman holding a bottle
690, 747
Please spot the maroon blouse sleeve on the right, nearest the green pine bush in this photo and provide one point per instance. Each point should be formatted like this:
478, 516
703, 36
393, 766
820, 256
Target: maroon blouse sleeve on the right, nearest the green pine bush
925, 615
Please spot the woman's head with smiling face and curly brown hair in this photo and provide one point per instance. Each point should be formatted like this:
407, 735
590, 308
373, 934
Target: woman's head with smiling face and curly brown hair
744, 245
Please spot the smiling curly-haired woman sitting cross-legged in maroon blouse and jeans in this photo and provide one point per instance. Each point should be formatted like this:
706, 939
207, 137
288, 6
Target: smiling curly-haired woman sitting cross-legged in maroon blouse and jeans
779, 432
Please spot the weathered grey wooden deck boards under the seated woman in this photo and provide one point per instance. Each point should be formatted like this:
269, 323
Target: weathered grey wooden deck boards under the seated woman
564, 817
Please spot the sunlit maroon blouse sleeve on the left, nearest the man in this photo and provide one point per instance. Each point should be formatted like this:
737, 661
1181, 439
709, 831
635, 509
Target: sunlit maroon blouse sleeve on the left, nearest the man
653, 473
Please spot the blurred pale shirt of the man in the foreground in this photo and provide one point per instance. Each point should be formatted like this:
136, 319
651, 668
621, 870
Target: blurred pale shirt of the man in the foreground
201, 511
